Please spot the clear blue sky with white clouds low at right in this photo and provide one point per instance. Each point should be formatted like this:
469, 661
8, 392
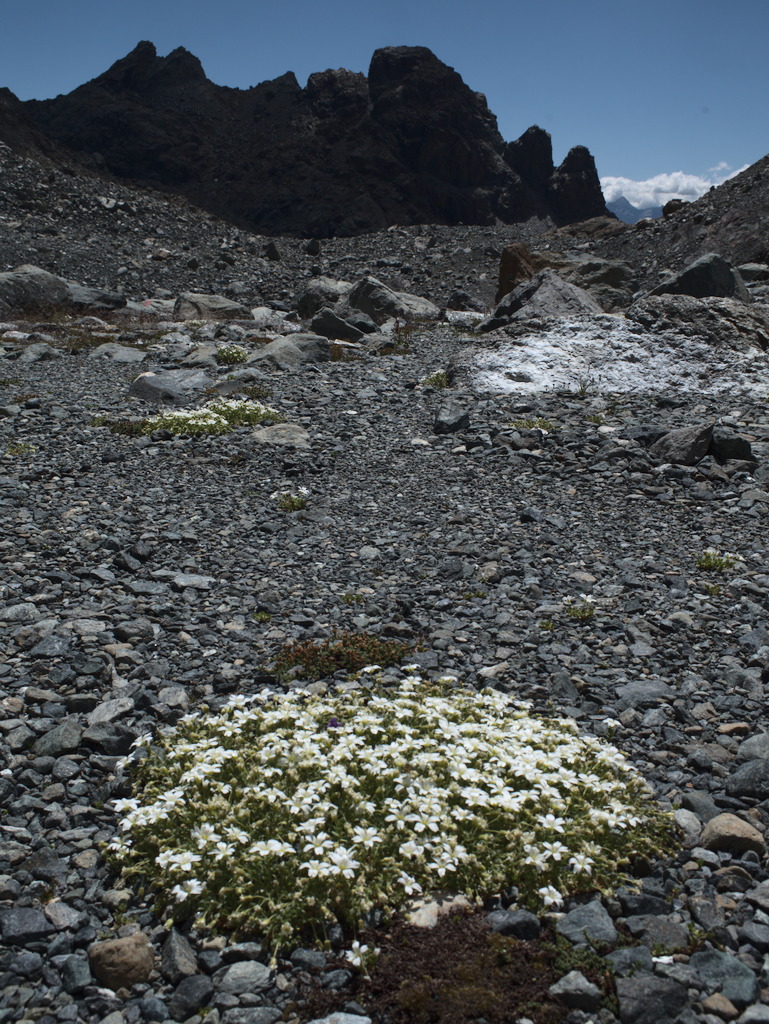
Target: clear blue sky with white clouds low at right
669, 96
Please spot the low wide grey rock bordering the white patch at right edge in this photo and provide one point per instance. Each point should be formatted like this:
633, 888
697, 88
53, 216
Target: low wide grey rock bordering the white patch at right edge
722, 322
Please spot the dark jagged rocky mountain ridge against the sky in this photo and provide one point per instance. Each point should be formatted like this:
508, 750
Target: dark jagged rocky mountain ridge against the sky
410, 144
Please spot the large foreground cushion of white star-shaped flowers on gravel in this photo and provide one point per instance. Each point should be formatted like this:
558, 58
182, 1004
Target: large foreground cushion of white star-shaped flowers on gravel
284, 810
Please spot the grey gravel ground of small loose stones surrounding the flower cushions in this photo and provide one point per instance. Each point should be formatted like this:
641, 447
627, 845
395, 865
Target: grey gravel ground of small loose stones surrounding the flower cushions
134, 570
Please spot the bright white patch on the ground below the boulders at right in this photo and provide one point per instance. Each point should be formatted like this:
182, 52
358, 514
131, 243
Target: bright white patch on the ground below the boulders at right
611, 355
